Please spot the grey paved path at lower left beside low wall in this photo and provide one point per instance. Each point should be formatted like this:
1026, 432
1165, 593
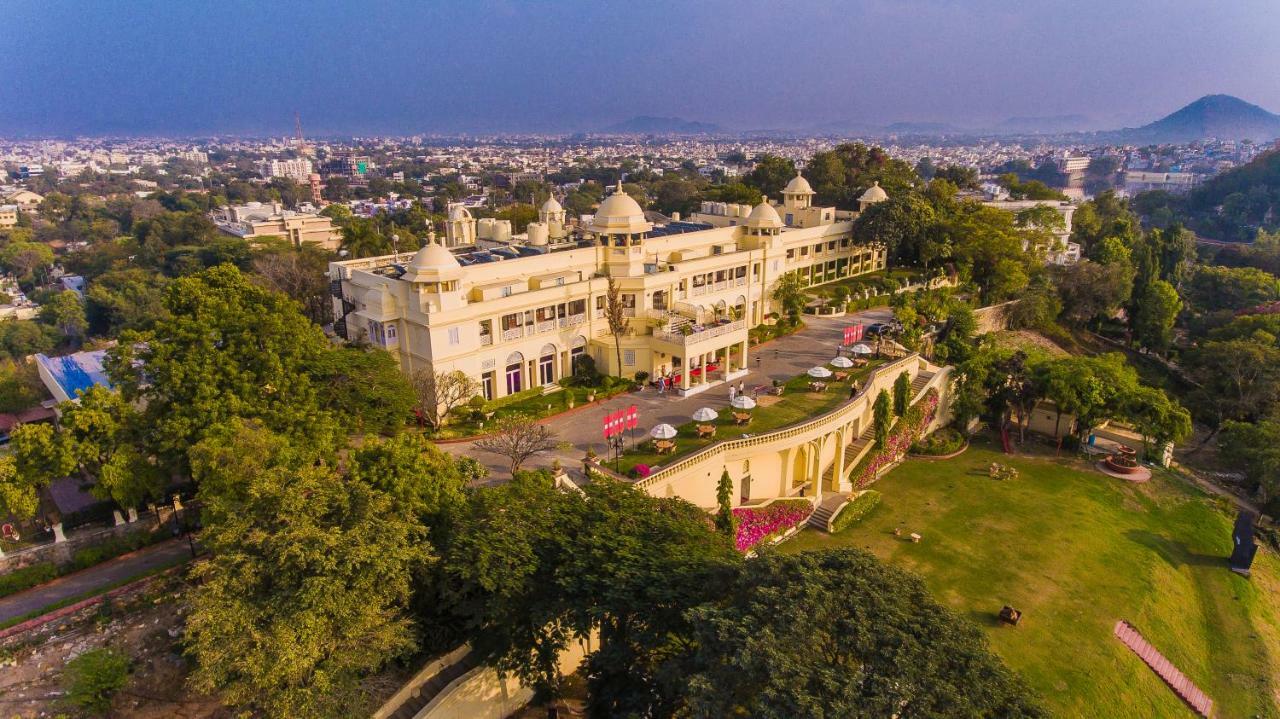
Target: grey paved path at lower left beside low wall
100, 576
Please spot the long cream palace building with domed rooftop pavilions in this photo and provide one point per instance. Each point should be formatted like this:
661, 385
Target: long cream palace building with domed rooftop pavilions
514, 313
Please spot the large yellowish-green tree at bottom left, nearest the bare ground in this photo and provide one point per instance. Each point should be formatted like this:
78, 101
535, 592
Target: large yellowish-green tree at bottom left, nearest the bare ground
308, 578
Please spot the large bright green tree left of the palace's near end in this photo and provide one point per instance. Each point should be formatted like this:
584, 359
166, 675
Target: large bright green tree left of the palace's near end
230, 349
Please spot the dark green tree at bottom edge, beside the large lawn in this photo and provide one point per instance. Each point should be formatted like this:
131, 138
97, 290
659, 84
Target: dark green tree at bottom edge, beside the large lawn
838, 634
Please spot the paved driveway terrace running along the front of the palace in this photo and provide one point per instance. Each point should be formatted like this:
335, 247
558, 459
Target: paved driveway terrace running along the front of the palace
779, 360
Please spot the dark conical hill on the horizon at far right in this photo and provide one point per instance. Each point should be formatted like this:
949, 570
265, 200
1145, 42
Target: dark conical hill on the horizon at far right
1220, 117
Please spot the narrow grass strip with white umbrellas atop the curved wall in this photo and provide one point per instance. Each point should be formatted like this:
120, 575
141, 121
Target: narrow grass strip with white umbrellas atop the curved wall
797, 404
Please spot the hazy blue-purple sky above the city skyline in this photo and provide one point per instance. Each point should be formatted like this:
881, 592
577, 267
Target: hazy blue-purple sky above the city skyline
179, 67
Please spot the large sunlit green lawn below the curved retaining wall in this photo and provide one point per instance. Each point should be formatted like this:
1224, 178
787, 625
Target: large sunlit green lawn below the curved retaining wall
1076, 551
